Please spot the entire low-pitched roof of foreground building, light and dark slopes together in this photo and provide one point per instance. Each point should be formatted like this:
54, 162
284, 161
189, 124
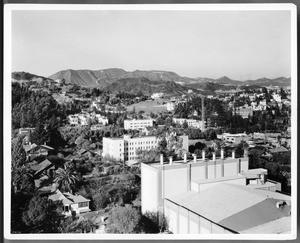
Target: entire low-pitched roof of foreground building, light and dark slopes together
235, 207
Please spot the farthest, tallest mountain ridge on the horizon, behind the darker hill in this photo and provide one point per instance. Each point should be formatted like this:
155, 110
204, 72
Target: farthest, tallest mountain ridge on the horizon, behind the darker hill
104, 77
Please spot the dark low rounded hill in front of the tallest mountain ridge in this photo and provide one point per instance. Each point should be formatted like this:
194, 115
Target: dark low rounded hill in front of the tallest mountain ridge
146, 86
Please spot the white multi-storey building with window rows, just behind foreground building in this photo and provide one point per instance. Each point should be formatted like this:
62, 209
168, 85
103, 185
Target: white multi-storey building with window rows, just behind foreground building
125, 148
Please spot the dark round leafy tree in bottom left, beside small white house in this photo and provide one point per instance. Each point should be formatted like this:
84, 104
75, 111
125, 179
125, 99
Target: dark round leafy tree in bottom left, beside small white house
43, 215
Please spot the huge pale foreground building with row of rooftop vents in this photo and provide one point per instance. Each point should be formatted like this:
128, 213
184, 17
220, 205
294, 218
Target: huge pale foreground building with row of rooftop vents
218, 196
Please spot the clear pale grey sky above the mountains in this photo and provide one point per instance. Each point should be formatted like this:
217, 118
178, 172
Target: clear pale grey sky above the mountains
238, 44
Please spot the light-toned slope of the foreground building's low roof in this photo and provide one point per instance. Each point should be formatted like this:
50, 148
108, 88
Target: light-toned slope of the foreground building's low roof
224, 200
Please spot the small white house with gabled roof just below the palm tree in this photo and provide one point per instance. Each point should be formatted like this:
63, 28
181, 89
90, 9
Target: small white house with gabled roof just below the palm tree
71, 203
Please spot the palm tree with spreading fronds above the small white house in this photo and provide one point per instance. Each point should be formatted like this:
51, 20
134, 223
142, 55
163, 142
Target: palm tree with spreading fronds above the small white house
66, 178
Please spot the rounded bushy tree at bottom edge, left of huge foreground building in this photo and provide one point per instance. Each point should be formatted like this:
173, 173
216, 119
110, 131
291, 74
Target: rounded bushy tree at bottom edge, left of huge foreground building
123, 220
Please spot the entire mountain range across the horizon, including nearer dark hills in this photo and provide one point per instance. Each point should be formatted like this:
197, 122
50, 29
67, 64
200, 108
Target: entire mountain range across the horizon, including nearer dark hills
115, 79
